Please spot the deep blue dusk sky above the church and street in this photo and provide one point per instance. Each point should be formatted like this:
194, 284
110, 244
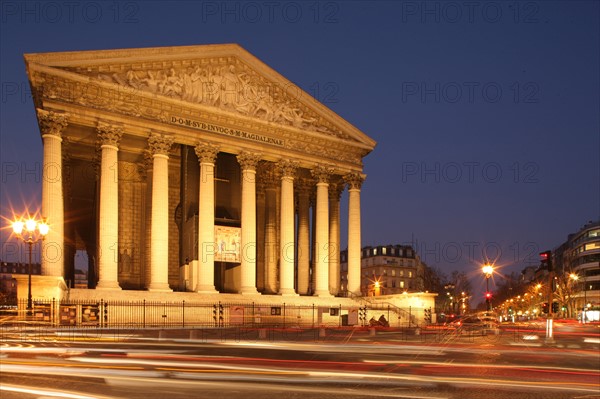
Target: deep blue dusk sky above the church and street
486, 114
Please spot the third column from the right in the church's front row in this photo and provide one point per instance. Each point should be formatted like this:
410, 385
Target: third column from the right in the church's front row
286, 241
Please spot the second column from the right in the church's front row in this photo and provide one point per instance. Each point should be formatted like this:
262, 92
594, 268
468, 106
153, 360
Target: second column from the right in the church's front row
322, 249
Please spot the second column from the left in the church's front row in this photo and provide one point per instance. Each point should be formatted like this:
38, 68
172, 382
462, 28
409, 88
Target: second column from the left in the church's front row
108, 241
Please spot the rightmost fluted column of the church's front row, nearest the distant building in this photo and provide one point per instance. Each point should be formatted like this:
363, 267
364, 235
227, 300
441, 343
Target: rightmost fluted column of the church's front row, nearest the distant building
354, 181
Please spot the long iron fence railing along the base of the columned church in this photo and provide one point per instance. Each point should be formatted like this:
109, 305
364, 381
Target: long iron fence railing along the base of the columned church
182, 314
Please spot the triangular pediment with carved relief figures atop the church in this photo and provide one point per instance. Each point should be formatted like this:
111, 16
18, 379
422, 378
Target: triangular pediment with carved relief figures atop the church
224, 77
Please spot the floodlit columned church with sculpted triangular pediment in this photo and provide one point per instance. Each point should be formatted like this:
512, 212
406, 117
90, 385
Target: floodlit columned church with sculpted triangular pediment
195, 168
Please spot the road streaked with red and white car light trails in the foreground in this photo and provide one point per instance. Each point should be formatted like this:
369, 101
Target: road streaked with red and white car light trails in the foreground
384, 364
